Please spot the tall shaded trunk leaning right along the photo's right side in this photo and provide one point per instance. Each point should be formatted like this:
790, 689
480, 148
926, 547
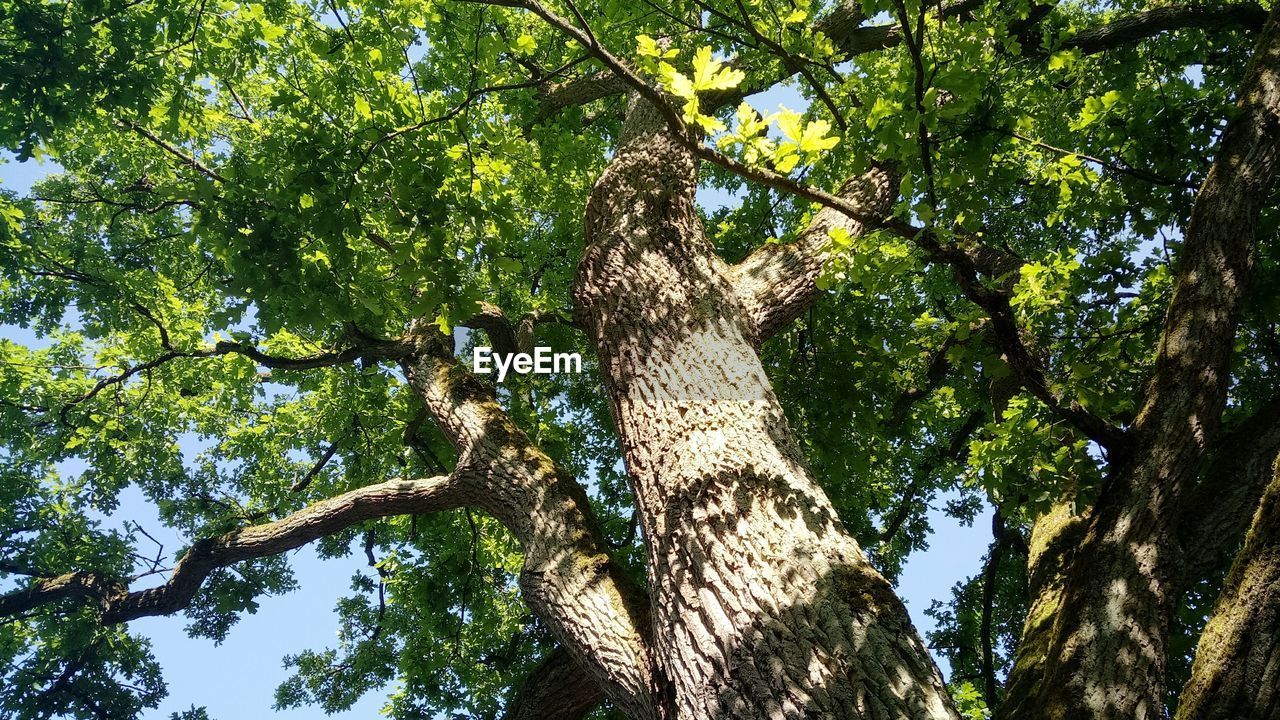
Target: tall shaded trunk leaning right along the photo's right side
1105, 654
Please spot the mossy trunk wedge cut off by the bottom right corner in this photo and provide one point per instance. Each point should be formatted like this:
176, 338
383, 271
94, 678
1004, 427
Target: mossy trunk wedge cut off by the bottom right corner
1237, 672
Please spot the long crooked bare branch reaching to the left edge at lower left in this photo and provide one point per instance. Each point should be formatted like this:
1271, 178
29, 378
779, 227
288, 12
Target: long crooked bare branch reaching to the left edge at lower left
120, 605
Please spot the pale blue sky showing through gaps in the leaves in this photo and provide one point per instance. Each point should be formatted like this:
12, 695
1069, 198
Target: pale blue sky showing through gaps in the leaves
237, 678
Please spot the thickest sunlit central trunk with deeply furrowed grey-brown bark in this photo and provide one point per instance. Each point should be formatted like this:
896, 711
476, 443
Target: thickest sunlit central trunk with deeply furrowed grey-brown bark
764, 605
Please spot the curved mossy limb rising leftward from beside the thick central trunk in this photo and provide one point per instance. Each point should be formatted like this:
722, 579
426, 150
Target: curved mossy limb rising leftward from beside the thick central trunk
568, 578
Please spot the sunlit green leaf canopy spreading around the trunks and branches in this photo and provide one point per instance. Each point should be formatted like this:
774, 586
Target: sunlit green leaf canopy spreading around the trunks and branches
303, 176
